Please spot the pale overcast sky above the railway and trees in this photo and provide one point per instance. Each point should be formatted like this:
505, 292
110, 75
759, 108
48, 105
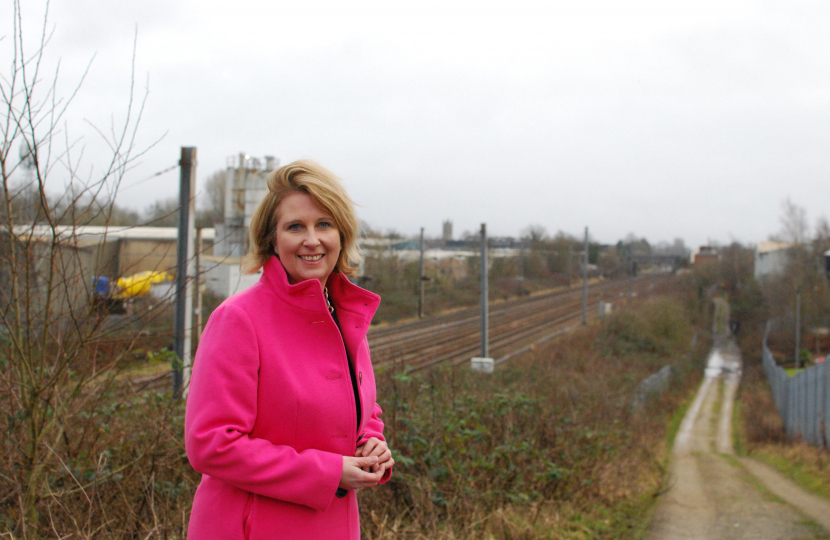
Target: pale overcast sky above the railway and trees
693, 120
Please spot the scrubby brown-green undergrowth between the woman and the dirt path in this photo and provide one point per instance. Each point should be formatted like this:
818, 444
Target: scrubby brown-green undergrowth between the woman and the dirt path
547, 448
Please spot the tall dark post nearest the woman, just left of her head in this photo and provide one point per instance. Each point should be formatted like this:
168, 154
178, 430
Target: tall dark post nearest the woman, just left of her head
184, 270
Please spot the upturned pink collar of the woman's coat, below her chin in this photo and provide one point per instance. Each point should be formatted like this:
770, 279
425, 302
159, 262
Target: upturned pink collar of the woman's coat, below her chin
308, 295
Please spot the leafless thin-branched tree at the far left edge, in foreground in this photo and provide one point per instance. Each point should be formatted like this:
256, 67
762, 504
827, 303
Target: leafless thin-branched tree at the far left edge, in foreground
58, 352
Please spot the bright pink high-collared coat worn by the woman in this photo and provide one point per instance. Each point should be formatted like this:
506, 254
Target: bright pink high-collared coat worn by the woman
270, 411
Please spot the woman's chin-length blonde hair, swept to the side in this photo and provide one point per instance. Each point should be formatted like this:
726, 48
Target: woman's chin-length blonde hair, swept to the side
328, 193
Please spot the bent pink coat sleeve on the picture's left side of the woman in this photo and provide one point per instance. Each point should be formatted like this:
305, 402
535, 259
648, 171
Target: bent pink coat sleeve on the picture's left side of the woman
220, 415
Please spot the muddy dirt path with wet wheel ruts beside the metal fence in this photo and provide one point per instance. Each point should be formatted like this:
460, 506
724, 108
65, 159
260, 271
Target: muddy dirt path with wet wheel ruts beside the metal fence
712, 494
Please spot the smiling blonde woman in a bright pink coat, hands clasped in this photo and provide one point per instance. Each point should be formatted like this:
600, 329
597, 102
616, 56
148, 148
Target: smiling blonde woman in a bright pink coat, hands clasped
281, 416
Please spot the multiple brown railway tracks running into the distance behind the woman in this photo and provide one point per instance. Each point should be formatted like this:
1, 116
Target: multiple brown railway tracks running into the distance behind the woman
514, 327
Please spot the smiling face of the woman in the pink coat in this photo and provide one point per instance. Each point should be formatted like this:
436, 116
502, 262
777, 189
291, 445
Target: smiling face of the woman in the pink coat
308, 241
